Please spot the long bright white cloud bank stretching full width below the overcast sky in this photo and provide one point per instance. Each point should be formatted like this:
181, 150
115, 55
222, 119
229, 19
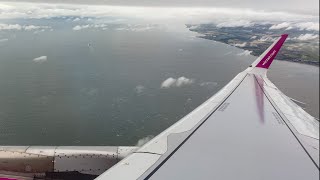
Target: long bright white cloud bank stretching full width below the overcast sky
12, 10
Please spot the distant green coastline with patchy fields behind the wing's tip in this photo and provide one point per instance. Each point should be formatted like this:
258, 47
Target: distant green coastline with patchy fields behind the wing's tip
302, 45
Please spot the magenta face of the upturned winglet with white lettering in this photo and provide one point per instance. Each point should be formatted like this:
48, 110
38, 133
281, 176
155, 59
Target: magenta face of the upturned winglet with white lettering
269, 57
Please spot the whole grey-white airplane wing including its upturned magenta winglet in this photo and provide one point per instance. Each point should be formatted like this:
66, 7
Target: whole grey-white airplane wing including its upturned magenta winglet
248, 130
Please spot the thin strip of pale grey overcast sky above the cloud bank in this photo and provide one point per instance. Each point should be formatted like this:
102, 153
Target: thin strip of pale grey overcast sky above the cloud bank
296, 6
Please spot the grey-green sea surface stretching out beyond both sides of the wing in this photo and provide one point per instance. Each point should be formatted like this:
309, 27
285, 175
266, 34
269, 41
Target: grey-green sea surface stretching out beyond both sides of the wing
103, 86
